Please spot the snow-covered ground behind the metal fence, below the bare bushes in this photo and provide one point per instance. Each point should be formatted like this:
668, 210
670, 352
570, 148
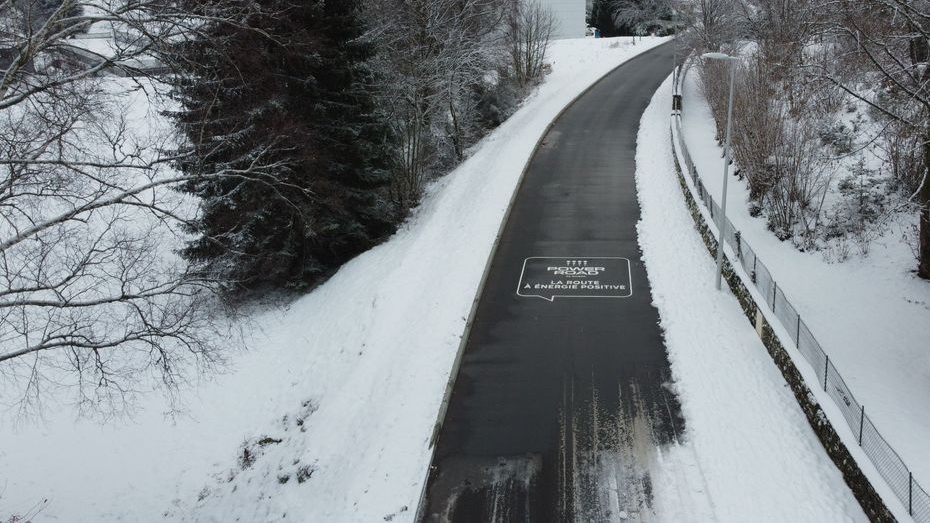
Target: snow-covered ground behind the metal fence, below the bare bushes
869, 313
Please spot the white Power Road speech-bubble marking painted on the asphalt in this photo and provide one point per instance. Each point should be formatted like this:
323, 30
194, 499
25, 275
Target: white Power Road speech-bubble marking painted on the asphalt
548, 277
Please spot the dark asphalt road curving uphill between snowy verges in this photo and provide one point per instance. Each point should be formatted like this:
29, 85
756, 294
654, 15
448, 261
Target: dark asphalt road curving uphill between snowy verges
562, 397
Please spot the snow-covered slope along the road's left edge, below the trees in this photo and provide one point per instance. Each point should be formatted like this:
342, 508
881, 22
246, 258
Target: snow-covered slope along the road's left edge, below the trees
338, 394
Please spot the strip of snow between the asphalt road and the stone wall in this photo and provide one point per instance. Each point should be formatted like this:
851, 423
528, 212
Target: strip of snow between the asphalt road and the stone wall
757, 455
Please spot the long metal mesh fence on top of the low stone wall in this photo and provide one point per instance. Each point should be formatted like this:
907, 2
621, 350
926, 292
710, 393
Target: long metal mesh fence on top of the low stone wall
901, 480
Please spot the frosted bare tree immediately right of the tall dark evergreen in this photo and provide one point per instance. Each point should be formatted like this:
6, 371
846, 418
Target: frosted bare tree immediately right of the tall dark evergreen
434, 56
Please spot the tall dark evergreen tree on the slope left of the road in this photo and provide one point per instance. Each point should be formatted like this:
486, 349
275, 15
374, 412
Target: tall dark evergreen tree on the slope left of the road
290, 157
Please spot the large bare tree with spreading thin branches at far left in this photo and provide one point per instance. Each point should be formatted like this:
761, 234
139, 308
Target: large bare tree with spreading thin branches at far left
92, 299
